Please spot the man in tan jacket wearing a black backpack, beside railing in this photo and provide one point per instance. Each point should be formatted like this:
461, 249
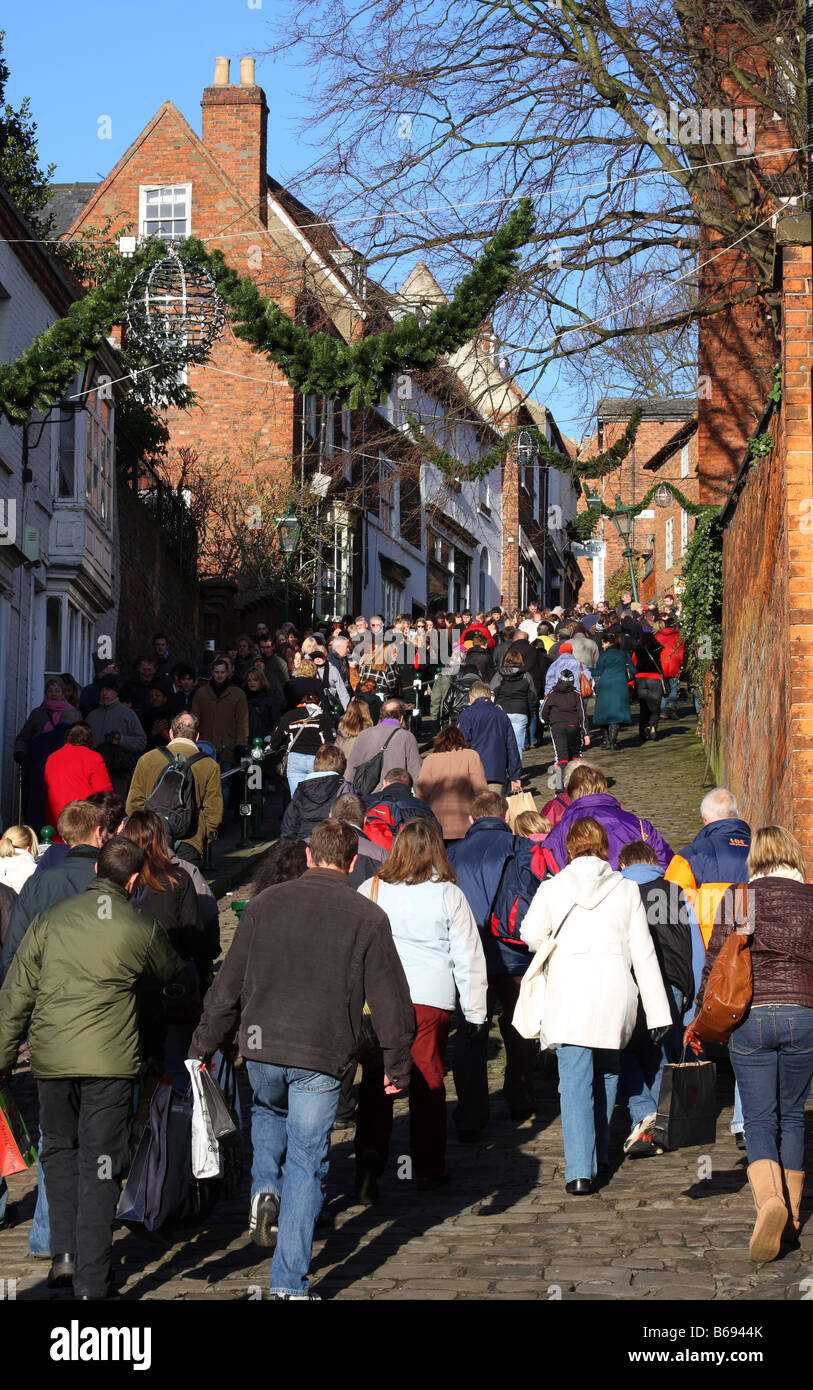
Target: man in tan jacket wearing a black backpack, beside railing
183, 786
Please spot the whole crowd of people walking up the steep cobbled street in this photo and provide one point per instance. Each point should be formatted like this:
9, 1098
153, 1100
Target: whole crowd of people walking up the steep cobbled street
406, 900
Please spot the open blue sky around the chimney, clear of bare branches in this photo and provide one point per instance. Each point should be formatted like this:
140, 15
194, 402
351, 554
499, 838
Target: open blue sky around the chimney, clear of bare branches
113, 60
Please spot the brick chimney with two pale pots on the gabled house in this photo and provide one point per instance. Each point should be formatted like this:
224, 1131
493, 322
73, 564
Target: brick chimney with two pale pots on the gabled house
236, 130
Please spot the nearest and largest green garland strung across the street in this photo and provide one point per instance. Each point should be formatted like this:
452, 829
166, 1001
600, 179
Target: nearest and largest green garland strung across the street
359, 373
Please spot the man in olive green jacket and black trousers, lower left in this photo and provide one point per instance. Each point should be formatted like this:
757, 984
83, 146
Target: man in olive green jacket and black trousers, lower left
74, 982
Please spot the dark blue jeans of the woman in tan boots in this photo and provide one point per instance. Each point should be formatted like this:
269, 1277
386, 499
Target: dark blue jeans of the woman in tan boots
772, 1056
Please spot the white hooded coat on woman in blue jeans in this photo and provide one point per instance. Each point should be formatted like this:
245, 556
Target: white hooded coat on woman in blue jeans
591, 997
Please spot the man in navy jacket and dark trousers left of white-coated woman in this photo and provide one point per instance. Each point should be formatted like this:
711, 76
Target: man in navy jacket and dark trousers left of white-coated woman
479, 861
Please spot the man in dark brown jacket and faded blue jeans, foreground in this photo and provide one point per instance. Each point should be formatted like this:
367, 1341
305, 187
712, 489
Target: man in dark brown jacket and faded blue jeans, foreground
305, 958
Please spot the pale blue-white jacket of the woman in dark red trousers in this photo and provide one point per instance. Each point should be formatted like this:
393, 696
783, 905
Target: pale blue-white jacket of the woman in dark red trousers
438, 945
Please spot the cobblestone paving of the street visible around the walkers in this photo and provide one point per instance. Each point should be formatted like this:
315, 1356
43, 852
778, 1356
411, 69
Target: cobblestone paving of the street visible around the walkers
666, 1228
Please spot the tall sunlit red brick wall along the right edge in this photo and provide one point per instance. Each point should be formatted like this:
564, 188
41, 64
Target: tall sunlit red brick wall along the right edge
766, 697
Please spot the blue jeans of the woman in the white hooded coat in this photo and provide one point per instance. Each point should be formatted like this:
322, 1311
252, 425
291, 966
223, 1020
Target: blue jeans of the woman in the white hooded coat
589, 1081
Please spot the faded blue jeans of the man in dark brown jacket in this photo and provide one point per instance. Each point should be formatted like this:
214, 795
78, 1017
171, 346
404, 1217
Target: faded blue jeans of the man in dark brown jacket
291, 1134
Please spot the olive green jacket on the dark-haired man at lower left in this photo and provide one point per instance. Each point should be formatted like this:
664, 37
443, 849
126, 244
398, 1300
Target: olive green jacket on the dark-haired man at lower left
74, 978
